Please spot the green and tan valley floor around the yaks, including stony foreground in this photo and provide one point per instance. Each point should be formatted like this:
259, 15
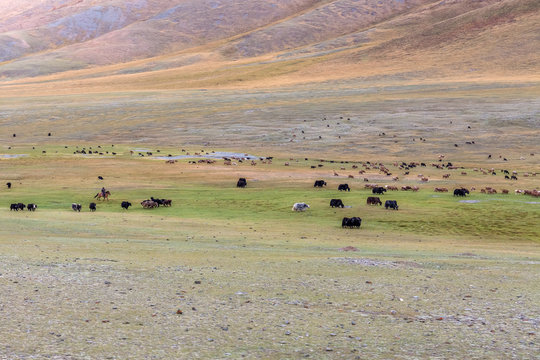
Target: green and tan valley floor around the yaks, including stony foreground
229, 273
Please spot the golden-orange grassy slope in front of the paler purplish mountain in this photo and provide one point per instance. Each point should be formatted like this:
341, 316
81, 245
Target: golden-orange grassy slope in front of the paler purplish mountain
482, 42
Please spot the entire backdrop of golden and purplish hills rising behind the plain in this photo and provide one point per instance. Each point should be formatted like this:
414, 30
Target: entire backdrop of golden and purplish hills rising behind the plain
156, 44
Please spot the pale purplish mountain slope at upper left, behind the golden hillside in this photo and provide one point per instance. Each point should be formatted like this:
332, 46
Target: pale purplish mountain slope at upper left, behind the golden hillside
90, 33
